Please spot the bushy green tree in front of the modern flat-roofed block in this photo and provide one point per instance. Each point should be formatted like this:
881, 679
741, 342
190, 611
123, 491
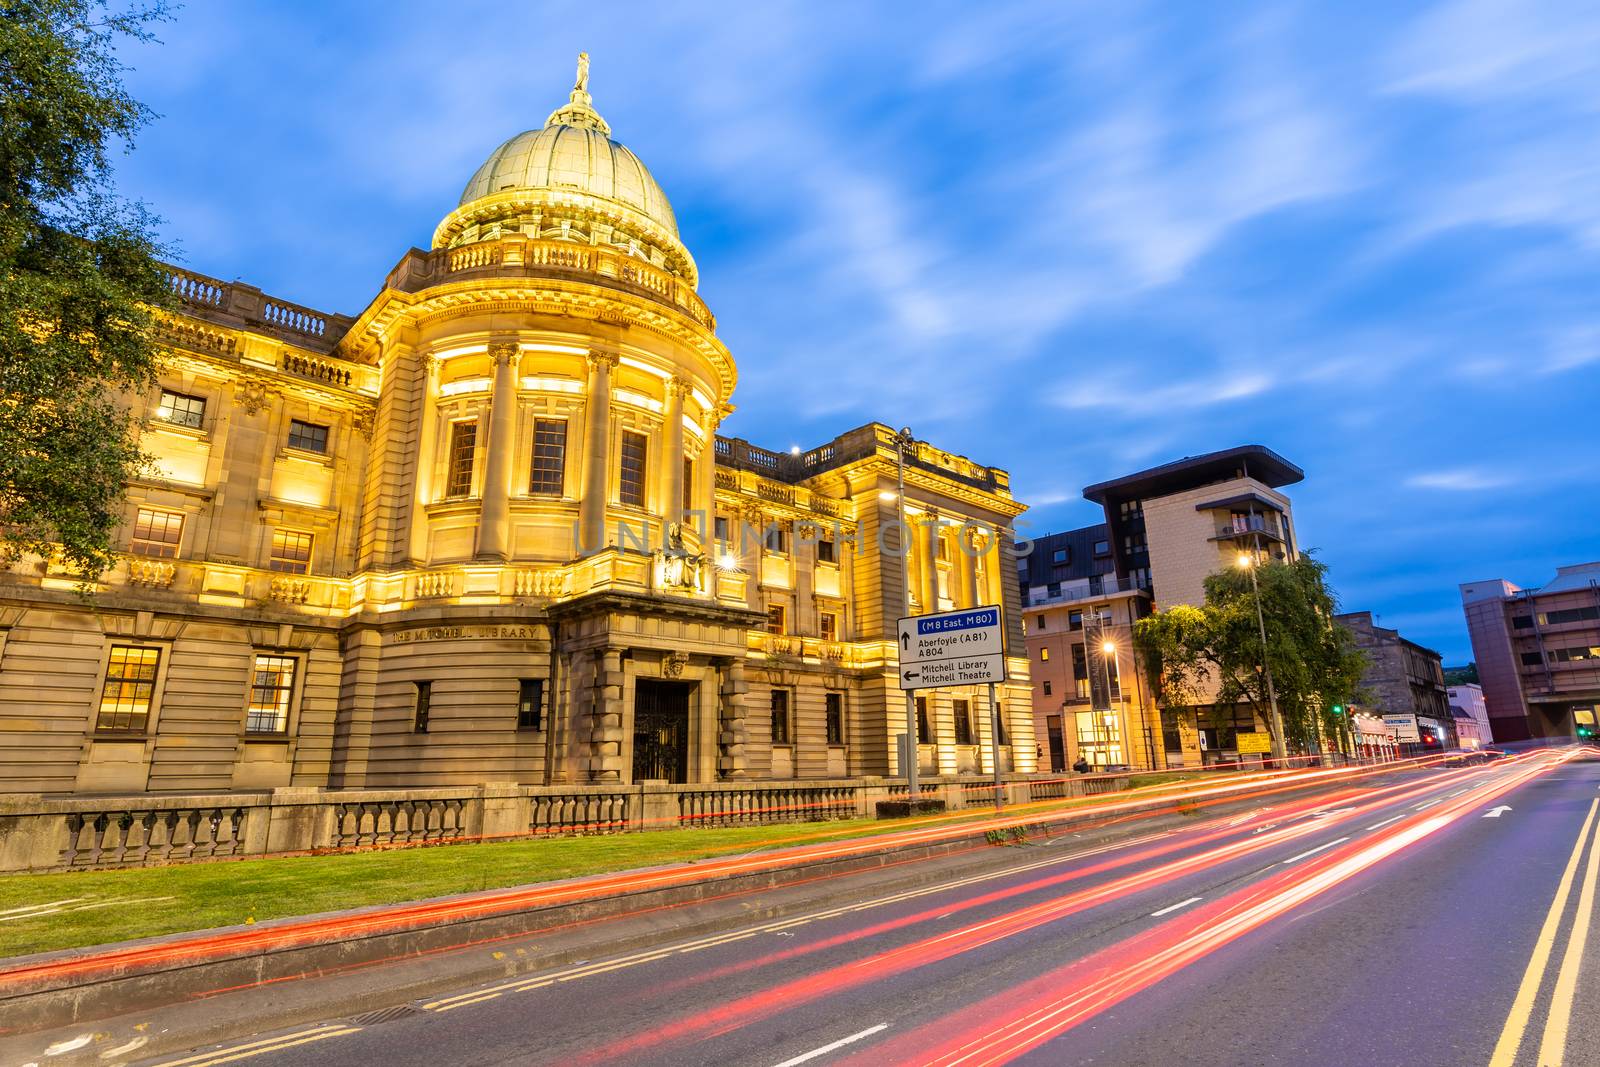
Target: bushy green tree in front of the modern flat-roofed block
1212, 655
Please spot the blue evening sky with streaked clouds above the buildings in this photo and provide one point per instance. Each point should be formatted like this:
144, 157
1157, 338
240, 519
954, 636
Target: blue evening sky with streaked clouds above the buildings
1065, 239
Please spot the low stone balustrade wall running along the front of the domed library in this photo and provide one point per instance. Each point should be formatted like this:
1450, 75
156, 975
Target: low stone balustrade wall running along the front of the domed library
106, 833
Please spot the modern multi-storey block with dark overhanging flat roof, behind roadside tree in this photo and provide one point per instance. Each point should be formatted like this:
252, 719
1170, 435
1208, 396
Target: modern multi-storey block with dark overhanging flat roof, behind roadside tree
1166, 530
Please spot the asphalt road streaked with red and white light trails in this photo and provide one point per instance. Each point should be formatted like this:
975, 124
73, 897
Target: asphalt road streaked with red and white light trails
1438, 921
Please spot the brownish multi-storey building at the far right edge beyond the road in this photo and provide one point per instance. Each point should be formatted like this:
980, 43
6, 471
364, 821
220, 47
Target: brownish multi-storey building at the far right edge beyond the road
1538, 653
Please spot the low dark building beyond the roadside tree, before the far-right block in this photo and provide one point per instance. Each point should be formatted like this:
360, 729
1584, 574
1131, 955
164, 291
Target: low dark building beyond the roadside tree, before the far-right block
1404, 679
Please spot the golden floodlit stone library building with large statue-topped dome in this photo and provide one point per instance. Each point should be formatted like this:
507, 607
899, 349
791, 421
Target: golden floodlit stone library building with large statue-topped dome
486, 532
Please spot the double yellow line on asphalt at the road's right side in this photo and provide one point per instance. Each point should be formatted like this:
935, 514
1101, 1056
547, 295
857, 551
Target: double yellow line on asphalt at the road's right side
1553, 1047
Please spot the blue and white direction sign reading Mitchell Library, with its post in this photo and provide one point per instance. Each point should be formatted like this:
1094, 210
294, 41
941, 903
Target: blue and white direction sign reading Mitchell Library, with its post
956, 649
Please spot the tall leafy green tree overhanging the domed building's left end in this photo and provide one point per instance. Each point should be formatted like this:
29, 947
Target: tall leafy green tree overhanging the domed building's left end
81, 284
